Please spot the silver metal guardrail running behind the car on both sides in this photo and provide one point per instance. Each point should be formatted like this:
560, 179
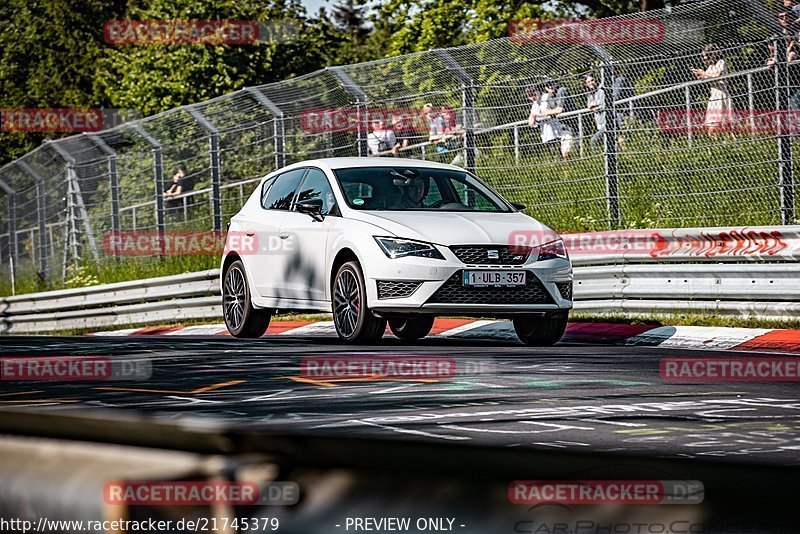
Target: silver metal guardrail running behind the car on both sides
746, 272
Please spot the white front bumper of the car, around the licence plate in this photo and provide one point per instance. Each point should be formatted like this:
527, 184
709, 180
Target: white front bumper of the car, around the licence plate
437, 288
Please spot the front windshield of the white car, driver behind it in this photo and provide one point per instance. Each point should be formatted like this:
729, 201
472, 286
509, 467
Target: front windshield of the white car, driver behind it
415, 189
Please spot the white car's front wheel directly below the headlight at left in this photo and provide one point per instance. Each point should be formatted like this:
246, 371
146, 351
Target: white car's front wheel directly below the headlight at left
352, 318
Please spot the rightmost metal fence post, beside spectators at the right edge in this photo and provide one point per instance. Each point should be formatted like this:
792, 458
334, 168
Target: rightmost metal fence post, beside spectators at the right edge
785, 174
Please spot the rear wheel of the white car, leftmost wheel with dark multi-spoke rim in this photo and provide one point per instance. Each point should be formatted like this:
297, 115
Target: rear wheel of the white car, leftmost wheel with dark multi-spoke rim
241, 318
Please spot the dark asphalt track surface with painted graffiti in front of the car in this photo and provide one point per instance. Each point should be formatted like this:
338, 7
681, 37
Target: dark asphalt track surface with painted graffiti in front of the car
565, 398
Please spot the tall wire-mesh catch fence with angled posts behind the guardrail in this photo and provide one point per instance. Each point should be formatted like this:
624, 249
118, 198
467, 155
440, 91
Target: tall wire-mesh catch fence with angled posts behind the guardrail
649, 153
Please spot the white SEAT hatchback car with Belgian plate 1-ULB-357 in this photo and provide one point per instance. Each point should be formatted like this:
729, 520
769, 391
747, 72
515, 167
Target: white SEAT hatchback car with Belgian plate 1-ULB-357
377, 240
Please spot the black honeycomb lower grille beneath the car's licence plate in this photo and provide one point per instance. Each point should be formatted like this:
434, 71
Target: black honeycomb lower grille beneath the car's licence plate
454, 292
